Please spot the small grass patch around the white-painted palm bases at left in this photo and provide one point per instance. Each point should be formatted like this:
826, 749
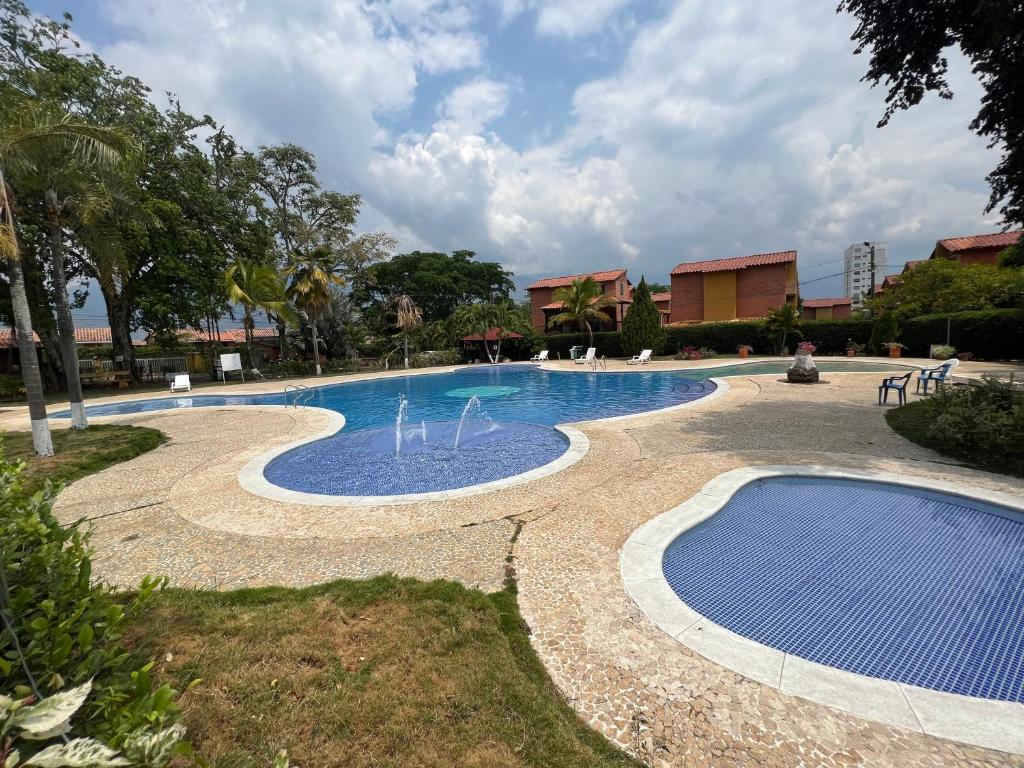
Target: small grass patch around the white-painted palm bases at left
79, 453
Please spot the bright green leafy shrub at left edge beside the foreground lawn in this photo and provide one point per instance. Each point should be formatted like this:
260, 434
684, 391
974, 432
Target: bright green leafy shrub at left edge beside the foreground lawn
63, 630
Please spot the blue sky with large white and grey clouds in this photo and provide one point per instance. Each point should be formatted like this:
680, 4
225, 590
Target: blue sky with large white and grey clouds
561, 137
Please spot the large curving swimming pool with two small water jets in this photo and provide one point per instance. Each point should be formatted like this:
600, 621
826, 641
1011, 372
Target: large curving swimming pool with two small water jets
432, 434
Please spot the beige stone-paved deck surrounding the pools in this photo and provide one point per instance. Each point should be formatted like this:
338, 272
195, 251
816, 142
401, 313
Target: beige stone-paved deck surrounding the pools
180, 511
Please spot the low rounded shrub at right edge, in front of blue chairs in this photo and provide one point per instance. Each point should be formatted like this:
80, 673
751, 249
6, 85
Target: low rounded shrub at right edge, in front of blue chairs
982, 423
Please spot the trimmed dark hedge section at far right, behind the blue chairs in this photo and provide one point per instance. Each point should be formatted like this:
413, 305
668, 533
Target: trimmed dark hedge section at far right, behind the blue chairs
992, 334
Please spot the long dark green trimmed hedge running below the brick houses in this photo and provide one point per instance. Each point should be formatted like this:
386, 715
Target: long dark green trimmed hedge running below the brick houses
996, 334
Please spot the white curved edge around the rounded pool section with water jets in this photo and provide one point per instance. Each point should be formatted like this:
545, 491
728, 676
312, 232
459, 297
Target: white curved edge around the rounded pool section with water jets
252, 478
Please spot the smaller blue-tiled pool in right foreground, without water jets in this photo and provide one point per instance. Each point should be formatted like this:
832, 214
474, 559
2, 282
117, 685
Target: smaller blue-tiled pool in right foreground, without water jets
884, 581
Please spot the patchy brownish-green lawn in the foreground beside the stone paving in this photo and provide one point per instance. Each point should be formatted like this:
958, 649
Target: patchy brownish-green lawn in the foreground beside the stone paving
386, 673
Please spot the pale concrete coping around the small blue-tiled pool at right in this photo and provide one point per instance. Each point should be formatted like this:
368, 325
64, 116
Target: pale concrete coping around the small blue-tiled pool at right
988, 723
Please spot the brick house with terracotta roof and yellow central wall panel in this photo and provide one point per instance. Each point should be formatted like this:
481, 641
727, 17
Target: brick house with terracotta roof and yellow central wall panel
734, 288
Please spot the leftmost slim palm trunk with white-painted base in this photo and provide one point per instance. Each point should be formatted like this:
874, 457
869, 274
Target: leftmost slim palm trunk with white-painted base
41, 441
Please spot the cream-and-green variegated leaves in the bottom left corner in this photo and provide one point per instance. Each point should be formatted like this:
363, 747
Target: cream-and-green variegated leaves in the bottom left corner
33, 733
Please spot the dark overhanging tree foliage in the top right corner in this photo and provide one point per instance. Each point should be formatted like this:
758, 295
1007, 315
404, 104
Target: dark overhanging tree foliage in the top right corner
909, 42
